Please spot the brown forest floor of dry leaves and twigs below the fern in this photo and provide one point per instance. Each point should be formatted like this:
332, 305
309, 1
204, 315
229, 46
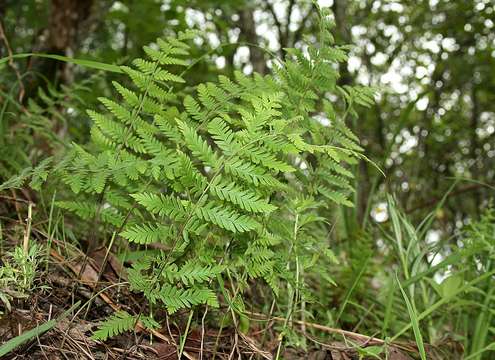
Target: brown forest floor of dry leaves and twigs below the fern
96, 283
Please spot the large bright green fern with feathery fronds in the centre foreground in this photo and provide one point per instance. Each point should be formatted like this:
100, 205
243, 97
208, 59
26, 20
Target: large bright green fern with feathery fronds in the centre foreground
209, 171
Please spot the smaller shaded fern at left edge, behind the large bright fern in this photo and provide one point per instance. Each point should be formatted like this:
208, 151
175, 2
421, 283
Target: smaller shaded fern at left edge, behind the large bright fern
29, 132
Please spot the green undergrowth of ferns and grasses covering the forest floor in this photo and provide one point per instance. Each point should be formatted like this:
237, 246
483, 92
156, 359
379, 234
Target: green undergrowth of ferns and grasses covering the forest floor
219, 208
